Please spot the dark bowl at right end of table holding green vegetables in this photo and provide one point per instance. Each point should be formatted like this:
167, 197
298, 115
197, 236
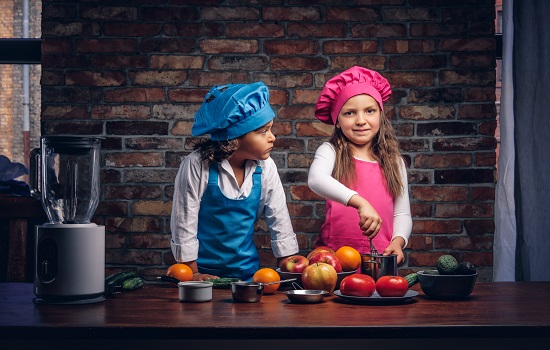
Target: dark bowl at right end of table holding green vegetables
439, 286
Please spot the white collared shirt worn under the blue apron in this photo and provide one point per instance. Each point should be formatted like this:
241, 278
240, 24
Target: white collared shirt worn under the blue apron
190, 184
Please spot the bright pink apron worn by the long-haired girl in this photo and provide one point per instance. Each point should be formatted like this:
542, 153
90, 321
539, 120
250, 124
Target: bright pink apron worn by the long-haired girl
341, 225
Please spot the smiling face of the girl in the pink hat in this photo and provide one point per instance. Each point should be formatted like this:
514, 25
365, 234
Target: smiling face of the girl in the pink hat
359, 119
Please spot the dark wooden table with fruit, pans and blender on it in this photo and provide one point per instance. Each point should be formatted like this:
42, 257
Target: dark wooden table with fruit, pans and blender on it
506, 315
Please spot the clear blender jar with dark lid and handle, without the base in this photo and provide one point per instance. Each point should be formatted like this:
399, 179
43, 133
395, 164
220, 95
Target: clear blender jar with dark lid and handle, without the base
69, 177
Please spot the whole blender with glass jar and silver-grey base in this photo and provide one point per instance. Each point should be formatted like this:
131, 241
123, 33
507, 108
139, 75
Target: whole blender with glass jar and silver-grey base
69, 249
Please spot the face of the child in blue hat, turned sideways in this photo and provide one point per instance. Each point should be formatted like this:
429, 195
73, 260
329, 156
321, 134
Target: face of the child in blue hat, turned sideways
257, 144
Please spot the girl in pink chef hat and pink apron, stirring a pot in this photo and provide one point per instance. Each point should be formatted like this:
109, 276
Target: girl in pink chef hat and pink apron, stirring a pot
359, 170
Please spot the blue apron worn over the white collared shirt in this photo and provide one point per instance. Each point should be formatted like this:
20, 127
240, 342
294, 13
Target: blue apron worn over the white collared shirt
226, 230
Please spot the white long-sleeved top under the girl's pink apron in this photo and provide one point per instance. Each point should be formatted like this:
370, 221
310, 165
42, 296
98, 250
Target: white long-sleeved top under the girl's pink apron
321, 181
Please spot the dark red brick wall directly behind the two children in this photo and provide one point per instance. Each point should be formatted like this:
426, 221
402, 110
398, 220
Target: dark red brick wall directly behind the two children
136, 74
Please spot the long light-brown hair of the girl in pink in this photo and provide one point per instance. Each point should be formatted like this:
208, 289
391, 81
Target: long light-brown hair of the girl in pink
385, 148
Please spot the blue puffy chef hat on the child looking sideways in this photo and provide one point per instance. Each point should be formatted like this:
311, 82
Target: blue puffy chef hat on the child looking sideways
230, 111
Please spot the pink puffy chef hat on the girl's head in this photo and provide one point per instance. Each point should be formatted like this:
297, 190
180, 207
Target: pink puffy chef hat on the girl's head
349, 83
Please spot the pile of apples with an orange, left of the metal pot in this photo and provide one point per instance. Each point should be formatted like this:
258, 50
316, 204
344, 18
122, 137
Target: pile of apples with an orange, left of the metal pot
320, 268
